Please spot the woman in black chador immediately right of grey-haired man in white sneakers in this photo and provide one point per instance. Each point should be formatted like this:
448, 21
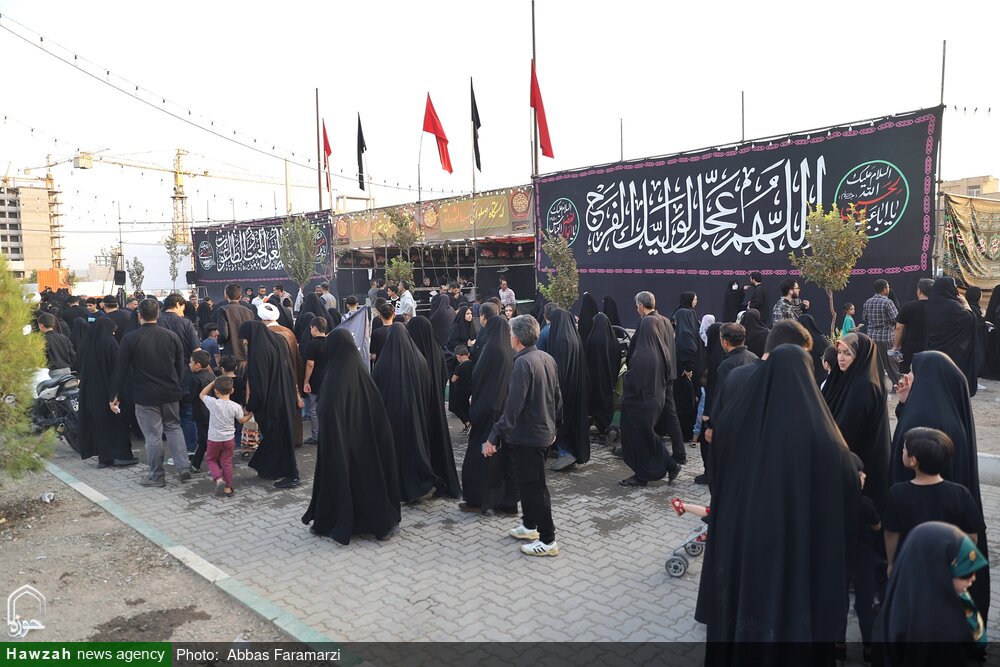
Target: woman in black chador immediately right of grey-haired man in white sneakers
565, 346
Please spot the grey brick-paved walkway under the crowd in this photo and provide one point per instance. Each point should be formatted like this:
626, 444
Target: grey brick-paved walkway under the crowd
449, 575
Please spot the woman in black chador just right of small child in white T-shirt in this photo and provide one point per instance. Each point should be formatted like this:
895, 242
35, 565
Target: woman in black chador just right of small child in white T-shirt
274, 402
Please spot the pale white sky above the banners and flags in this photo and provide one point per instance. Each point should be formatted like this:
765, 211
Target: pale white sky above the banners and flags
673, 71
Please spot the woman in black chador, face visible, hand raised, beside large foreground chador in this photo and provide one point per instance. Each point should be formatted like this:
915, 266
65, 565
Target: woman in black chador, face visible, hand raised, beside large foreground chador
857, 399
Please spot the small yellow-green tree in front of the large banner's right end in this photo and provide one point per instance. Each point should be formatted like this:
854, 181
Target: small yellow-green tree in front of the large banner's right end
835, 241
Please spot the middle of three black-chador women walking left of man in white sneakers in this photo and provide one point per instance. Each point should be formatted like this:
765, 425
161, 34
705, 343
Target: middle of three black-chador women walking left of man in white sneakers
404, 381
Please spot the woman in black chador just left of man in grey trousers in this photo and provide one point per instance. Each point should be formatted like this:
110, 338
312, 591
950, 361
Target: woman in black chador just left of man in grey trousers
102, 432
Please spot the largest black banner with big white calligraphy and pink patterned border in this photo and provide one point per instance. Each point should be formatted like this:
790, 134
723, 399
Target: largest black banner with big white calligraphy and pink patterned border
696, 221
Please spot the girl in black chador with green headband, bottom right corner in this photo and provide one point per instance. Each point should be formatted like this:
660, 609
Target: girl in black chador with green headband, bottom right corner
927, 617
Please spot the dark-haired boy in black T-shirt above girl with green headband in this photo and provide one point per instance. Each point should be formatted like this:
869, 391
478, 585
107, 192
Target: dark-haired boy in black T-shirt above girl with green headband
927, 497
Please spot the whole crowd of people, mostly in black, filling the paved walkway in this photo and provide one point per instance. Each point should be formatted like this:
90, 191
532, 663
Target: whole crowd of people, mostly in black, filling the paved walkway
813, 494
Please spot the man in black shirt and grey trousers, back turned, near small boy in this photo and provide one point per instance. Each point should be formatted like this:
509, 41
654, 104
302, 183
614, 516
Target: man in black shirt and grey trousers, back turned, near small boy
154, 358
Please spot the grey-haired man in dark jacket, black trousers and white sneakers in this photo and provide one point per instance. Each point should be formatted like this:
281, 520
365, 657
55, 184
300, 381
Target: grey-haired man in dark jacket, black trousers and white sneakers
527, 428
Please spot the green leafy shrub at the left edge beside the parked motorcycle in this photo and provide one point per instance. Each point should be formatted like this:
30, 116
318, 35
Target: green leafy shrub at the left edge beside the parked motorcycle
21, 449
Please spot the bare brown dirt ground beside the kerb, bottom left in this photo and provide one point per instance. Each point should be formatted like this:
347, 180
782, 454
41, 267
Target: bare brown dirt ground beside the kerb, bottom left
103, 581
